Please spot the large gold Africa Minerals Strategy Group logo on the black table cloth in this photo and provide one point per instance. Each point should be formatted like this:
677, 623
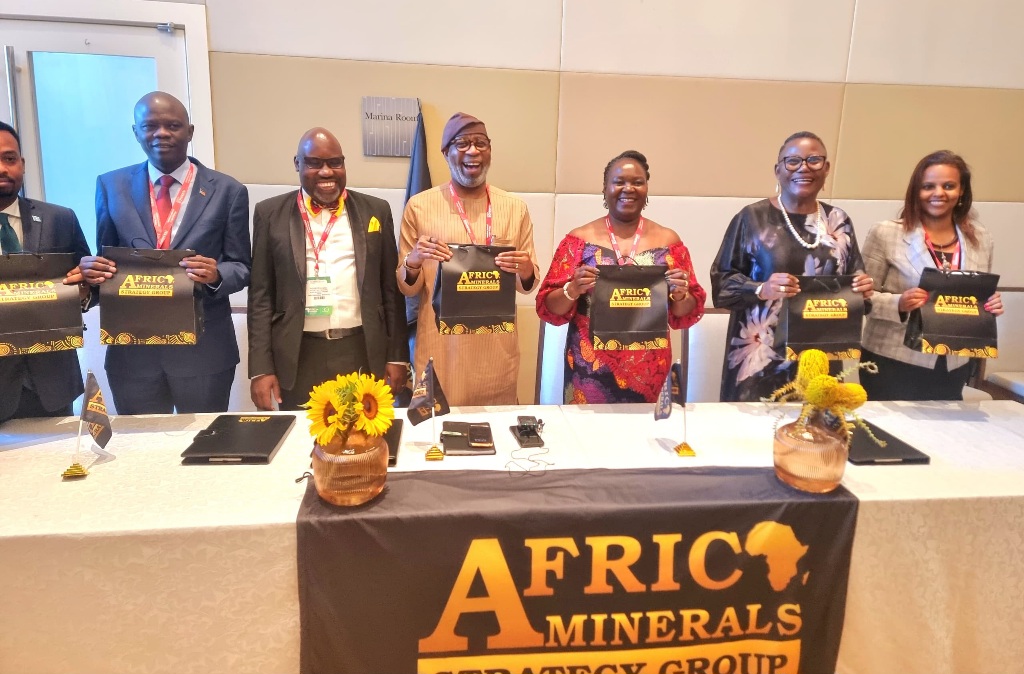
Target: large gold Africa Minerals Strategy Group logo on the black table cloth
742, 613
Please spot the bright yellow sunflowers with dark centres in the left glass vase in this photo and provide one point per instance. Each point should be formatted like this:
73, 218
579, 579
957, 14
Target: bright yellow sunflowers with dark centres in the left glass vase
350, 403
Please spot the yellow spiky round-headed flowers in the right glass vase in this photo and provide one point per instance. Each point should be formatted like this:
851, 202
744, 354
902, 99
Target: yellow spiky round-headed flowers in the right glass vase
823, 393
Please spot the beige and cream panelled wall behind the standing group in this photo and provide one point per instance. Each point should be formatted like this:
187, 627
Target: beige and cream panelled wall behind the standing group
708, 90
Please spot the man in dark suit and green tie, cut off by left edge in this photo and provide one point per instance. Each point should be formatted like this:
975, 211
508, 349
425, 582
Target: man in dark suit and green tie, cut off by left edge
40, 385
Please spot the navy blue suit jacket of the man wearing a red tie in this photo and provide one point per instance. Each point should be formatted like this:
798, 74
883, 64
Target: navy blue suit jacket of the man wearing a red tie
216, 225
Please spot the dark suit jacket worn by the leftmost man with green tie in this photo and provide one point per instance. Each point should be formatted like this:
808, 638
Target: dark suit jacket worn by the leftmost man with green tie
57, 377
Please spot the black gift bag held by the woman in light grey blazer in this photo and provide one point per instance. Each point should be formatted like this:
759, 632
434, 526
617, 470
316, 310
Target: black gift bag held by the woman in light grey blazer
954, 321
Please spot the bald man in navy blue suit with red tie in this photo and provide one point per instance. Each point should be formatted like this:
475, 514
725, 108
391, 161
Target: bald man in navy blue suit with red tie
196, 208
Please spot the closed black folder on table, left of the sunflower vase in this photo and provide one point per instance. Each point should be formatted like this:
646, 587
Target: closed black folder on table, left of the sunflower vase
238, 439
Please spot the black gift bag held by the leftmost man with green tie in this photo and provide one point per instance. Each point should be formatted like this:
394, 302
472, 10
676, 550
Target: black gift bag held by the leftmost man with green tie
38, 313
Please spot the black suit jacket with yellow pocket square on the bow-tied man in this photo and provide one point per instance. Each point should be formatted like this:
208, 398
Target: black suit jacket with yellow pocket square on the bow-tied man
277, 299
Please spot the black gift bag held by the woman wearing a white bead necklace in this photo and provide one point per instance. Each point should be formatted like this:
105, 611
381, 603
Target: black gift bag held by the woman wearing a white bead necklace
827, 315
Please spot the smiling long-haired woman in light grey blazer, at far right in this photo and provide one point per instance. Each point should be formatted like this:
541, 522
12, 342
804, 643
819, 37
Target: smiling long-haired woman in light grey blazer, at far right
935, 230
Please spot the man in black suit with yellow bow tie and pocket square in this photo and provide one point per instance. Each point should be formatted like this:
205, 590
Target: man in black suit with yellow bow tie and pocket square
324, 300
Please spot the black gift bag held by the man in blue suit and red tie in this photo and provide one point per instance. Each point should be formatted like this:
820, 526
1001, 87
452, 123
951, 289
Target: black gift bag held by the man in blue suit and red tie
150, 301
